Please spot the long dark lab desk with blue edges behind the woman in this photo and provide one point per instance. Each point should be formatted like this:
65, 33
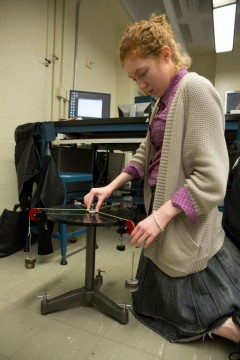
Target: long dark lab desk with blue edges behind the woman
113, 133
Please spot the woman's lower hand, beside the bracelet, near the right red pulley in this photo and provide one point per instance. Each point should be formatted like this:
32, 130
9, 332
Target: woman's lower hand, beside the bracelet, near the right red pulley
145, 232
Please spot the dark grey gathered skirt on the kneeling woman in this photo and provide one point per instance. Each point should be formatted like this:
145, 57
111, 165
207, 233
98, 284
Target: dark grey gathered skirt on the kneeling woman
186, 308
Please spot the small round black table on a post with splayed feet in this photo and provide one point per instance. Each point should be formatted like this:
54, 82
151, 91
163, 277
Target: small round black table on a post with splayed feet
89, 294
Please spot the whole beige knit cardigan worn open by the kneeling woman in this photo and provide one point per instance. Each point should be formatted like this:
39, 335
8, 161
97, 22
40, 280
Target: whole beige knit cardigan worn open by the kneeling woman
194, 154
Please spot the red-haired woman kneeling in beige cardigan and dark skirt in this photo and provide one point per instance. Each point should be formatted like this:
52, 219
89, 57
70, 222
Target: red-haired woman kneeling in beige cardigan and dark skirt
188, 283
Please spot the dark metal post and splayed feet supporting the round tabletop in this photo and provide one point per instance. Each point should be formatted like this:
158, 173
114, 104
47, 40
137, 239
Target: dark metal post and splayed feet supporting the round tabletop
89, 294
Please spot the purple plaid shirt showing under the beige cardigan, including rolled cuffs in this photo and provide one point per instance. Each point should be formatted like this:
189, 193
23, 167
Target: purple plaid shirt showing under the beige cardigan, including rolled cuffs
181, 197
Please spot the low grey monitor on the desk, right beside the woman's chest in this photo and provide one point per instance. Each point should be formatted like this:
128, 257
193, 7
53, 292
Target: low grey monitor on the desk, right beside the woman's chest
135, 110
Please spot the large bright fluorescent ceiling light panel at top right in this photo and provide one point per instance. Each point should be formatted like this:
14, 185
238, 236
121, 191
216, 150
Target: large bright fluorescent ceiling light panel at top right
224, 23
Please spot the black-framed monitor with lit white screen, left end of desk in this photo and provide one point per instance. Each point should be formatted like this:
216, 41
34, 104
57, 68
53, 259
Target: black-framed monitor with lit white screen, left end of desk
86, 104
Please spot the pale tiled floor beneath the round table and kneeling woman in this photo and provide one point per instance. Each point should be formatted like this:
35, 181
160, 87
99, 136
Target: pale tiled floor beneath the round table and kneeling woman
81, 333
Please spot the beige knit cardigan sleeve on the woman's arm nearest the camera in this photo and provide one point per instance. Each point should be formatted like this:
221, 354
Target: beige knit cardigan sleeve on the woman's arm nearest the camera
205, 155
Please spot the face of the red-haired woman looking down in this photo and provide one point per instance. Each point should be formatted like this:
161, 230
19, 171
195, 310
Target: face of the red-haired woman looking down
152, 74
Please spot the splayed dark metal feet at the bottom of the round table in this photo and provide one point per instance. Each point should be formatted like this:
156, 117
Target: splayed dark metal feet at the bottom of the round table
85, 297
